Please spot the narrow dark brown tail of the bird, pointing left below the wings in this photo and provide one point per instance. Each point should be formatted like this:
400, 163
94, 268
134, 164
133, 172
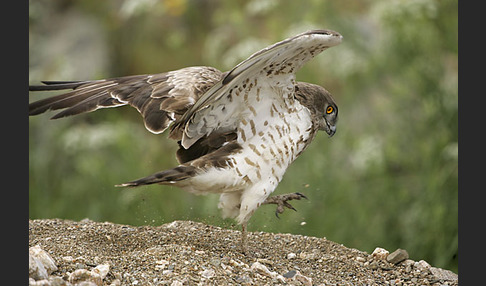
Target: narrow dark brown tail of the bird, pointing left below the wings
171, 176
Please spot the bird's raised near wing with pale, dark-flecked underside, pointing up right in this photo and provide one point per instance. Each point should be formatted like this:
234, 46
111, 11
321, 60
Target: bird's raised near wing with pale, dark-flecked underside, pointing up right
221, 108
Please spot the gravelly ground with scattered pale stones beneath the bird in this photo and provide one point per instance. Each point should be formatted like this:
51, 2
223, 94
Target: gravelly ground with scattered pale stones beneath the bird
64, 252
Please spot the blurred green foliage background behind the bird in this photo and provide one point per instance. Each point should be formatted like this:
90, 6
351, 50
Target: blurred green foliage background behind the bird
388, 178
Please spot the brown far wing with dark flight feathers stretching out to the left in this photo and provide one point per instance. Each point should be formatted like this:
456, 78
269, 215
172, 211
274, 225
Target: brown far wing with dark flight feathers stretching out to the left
160, 98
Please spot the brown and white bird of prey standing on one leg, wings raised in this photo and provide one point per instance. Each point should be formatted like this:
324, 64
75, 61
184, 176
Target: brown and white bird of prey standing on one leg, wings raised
238, 131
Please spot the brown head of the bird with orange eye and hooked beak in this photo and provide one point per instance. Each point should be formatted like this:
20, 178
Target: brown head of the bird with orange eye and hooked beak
321, 105
